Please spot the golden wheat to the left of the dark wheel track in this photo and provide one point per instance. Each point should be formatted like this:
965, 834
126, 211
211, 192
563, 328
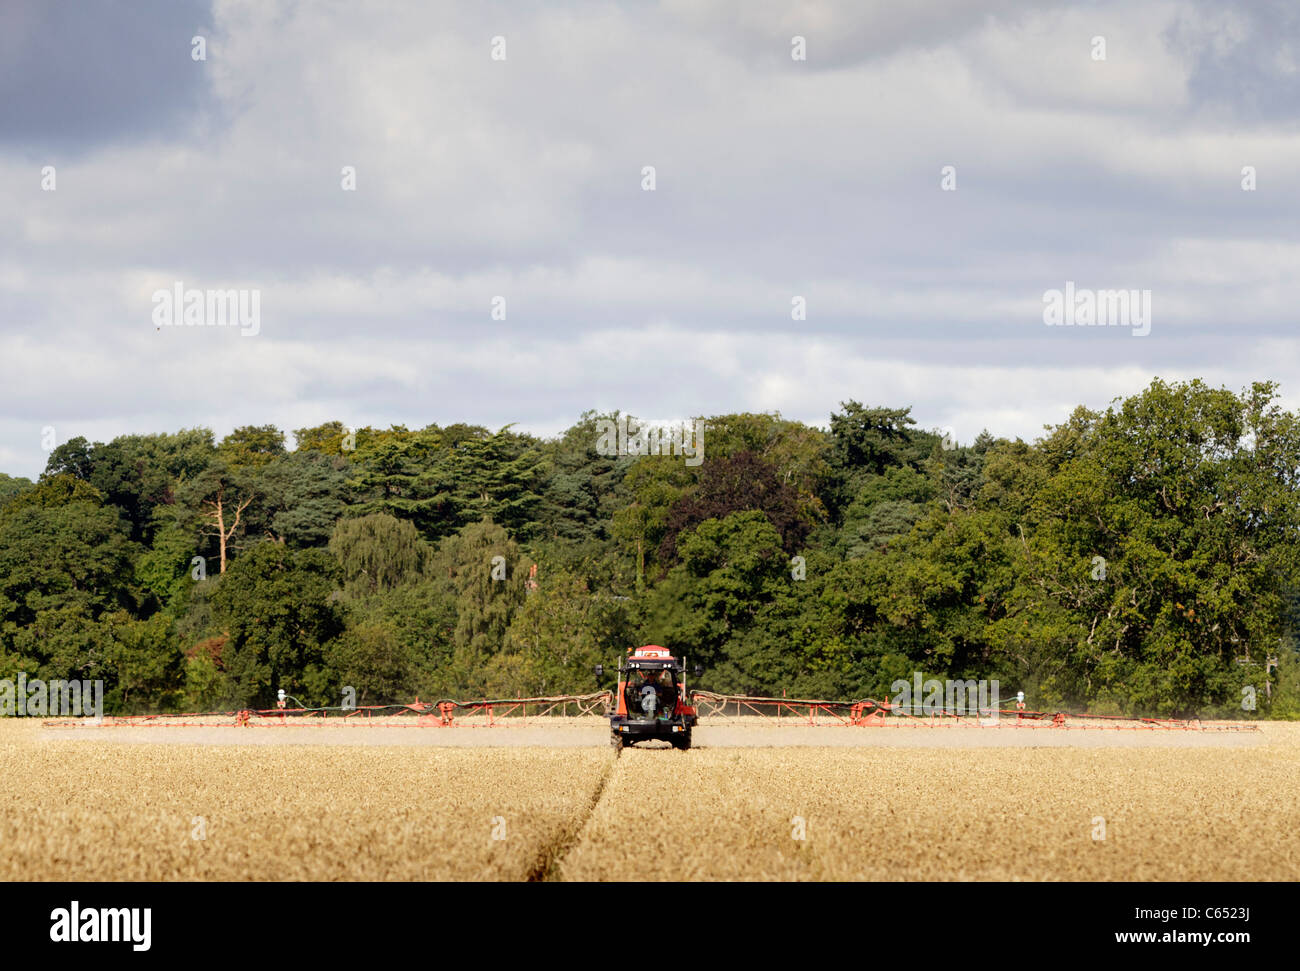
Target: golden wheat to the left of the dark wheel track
86, 810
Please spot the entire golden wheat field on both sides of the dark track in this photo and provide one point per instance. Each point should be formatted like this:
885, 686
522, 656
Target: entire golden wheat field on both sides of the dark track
872, 807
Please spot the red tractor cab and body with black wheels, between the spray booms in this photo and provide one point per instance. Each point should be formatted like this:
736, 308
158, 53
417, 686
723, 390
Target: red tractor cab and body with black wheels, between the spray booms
651, 701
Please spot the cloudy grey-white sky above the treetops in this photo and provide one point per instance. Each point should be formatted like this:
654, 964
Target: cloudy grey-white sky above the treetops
918, 183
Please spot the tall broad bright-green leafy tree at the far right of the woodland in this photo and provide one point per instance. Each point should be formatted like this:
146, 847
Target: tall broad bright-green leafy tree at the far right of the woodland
1186, 496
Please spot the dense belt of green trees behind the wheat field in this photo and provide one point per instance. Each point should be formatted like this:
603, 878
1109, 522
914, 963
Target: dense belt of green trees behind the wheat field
1141, 560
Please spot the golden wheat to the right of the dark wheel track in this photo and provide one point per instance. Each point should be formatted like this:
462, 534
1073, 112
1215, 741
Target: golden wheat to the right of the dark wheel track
947, 814
